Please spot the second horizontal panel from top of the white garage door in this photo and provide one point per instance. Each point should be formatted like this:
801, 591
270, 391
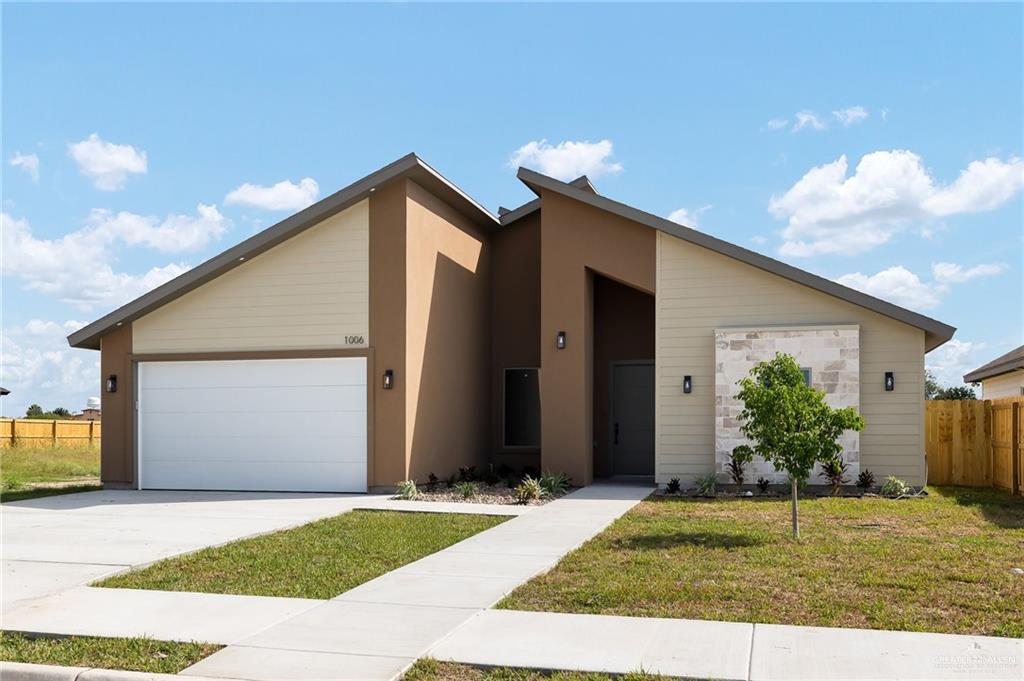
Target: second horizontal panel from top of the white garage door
324, 399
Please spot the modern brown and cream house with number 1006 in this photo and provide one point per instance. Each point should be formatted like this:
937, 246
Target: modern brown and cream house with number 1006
398, 328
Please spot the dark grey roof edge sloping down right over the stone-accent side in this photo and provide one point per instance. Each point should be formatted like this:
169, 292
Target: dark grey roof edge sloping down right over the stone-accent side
936, 333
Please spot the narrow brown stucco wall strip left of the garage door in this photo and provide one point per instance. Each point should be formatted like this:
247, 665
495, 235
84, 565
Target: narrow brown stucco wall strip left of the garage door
117, 469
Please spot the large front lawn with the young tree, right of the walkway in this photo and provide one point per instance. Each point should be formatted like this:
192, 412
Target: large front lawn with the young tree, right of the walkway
941, 565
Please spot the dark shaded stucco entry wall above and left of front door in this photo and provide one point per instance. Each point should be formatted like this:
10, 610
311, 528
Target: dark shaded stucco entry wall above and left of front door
624, 330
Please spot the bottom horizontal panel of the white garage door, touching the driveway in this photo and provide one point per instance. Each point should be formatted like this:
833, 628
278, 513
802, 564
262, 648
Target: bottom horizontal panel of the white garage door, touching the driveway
258, 477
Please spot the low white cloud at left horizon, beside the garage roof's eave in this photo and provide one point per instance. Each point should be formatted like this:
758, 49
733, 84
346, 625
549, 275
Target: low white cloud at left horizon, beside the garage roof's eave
39, 367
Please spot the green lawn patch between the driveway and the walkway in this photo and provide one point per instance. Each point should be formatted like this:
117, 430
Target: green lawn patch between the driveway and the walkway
318, 561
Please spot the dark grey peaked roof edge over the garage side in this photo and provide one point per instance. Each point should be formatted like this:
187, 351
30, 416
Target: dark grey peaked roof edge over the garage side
410, 166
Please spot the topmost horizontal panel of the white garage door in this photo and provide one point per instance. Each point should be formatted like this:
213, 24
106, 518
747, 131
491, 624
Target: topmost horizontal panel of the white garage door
326, 371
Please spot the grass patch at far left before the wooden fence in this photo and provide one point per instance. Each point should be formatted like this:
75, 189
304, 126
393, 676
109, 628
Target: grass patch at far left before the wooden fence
22, 466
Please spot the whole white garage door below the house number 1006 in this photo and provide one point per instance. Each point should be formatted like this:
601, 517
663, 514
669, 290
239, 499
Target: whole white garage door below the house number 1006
283, 425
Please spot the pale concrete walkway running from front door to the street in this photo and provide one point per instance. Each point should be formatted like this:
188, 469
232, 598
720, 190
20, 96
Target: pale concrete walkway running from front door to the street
376, 630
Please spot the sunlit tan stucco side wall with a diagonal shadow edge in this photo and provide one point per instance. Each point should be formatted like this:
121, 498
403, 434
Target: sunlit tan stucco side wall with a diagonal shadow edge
448, 338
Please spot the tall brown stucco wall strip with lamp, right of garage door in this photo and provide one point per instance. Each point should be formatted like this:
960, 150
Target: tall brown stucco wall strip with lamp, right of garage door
388, 332
